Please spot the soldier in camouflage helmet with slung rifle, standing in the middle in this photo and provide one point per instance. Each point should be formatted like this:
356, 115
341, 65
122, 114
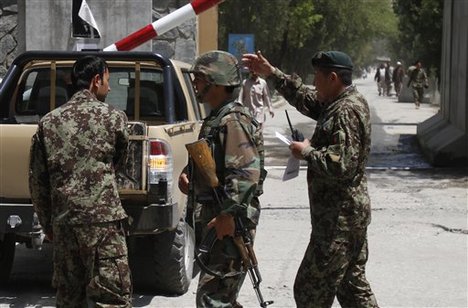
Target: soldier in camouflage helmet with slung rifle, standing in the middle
234, 137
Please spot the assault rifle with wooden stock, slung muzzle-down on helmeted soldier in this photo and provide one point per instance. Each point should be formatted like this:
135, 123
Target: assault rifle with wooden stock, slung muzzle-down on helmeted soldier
201, 155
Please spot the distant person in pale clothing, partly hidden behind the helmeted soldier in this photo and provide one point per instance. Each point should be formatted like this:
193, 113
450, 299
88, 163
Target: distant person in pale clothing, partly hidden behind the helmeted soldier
255, 95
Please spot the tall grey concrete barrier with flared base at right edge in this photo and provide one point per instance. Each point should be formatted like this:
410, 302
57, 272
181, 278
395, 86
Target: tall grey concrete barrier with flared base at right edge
444, 137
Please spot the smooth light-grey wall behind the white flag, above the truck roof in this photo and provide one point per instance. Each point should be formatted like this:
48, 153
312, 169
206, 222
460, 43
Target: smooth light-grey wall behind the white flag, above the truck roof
48, 23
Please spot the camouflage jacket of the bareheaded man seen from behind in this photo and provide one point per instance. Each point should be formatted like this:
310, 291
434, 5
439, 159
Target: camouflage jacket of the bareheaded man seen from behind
74, 154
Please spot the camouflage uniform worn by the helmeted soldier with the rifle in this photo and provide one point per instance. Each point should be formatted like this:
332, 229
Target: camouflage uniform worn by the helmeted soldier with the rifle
230, 130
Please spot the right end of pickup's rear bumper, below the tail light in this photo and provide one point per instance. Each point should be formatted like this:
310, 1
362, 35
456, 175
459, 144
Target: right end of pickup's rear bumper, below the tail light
153, 218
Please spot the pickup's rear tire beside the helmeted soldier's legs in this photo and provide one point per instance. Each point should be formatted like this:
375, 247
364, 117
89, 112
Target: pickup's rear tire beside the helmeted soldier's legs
163, 263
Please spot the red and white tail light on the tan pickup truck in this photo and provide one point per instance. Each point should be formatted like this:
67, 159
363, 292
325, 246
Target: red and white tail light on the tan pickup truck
160, 169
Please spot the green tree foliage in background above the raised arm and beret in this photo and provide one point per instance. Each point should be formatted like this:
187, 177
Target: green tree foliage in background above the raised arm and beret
290, 32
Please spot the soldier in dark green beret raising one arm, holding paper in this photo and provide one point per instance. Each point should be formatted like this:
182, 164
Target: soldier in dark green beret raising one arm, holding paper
335, 259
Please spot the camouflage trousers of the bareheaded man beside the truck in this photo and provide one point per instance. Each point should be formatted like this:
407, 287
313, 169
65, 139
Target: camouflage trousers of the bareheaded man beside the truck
91, 266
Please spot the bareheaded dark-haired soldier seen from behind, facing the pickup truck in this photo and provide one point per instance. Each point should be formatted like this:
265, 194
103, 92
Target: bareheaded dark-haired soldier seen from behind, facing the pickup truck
74, 155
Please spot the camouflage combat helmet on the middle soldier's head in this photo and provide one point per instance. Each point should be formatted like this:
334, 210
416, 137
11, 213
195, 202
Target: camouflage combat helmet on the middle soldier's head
219, 67
